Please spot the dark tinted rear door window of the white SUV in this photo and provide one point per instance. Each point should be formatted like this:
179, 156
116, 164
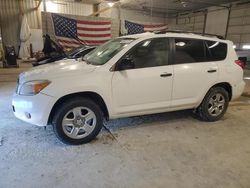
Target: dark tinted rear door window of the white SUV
189, 51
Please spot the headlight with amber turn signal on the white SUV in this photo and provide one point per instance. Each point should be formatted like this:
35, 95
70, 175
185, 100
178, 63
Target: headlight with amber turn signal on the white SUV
33, 87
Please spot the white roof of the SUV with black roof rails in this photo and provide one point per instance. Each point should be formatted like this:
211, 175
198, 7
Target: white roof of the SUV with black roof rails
173, 34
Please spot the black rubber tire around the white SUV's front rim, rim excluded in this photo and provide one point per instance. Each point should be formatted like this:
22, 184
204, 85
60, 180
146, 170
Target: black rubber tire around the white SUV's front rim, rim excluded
65, 108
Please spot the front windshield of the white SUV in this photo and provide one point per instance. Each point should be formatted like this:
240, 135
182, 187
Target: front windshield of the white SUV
105, 52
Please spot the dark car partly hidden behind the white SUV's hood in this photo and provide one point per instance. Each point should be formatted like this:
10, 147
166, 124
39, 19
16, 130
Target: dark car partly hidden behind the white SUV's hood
72, 54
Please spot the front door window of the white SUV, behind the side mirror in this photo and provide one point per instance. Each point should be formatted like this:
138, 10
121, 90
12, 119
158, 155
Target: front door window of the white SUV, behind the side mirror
150, 53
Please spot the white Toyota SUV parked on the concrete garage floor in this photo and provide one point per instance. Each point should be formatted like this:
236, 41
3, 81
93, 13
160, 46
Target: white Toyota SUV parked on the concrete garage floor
129, 76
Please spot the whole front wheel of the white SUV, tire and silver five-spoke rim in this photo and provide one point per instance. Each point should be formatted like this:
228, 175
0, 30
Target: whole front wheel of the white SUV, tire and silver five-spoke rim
78, 121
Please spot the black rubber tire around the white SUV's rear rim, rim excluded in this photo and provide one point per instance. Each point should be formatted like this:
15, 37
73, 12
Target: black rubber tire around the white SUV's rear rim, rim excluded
203, 112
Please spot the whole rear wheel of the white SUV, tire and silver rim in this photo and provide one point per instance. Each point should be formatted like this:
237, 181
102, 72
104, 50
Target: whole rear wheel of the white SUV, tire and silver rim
214, 105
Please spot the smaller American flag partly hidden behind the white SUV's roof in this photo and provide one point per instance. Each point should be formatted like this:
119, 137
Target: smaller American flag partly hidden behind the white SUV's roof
134, 28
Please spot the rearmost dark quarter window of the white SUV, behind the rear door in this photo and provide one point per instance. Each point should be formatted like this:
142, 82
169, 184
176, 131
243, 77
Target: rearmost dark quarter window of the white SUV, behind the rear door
217, 51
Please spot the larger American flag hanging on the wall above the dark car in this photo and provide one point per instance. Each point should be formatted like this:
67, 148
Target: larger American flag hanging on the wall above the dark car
73, 33
